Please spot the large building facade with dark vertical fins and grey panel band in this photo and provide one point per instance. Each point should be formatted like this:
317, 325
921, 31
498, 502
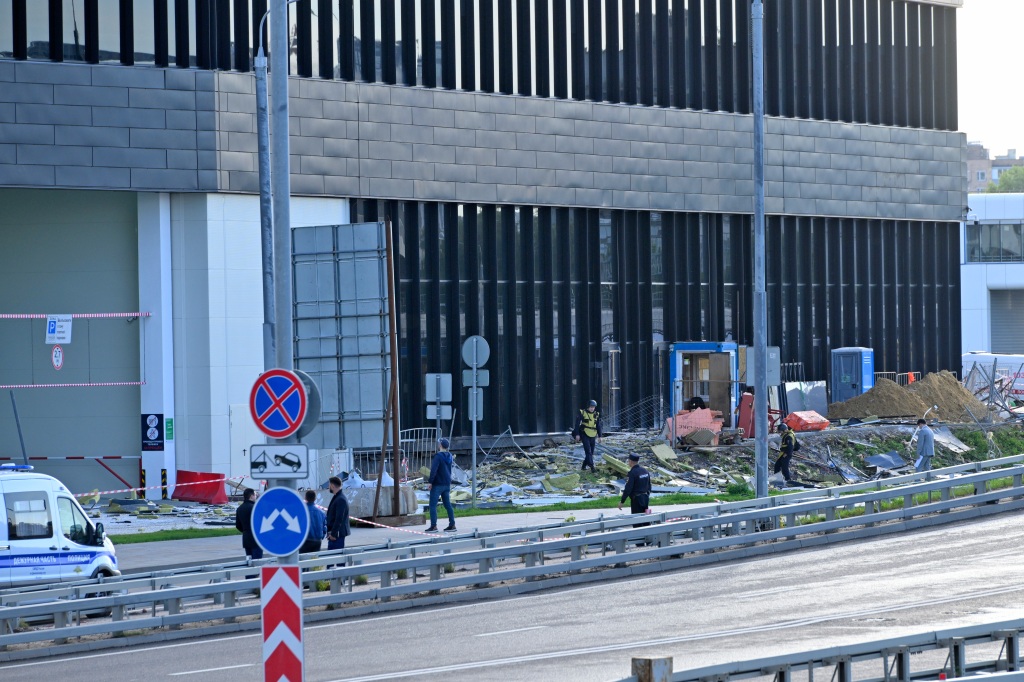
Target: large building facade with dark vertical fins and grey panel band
571, 180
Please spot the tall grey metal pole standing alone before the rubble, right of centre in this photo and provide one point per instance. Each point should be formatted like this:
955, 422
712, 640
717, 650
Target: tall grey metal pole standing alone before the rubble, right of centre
760, 307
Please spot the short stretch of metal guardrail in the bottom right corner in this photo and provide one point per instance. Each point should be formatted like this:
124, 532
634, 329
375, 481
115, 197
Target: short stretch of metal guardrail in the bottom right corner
996, 646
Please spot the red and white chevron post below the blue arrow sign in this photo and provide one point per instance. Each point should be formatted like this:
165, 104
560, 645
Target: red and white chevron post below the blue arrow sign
281, 603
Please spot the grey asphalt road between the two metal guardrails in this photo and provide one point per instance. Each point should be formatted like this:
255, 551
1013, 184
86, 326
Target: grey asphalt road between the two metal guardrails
962, 575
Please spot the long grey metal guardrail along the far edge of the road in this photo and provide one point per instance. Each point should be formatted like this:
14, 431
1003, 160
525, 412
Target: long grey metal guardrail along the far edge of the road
425, 572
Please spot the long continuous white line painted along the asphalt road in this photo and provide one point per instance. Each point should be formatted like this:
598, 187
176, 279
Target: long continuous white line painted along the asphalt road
620, 647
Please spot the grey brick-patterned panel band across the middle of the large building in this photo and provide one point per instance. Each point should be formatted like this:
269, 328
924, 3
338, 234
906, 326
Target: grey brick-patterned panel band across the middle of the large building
186, 131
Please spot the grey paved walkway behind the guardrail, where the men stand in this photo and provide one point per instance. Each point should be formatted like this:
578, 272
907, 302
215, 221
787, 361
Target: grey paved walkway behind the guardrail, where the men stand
200, 551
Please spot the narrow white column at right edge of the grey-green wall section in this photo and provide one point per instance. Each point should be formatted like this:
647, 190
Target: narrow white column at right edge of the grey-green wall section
157, 340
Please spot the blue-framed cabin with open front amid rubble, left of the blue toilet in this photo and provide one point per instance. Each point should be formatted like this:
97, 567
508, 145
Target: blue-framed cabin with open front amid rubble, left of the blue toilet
692, 366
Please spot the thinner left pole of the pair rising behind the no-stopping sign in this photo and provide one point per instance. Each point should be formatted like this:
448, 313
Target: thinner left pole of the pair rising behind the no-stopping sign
266, 205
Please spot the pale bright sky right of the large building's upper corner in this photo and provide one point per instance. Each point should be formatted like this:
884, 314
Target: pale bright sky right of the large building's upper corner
990, 35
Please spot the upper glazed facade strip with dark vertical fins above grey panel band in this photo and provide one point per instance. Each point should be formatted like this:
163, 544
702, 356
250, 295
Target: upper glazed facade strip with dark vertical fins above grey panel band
882, 62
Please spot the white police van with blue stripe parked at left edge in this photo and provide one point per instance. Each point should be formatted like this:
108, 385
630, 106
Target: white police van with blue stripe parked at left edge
46, 537
